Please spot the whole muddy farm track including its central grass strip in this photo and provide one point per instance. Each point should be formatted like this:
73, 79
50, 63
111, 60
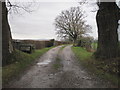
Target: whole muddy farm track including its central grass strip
58, 68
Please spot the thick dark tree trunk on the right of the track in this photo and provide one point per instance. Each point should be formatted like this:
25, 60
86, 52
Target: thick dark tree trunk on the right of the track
107, 22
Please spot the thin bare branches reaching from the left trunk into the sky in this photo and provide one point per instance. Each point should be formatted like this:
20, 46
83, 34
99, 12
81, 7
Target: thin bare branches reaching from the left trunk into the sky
19, 7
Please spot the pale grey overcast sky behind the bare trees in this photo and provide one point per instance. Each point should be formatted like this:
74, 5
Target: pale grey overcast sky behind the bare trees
40, 23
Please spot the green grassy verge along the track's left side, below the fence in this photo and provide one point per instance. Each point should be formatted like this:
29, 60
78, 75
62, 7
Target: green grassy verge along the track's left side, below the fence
22, 61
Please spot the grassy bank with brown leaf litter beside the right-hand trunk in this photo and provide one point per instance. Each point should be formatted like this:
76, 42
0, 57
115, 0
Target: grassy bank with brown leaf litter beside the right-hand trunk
106, 69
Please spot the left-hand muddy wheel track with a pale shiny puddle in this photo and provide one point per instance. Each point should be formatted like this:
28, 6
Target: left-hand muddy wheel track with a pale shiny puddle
40, 74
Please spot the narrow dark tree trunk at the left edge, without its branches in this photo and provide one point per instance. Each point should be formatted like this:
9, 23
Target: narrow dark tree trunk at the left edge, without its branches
7, 47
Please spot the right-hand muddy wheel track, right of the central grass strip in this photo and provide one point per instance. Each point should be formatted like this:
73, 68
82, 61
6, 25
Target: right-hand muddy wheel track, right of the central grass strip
73, 75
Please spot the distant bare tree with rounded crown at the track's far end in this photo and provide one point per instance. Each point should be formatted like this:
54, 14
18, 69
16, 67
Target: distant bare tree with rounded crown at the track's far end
71, 23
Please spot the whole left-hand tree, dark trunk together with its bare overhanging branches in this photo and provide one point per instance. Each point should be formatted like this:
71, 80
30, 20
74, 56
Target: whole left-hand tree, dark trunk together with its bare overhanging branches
7, 7
